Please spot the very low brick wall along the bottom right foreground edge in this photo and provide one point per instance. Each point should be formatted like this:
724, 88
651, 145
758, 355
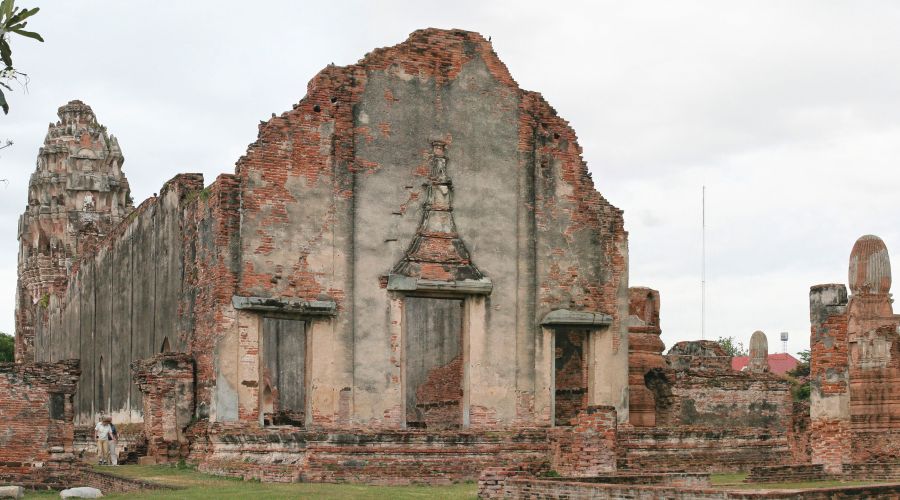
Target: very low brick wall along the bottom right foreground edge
517, 487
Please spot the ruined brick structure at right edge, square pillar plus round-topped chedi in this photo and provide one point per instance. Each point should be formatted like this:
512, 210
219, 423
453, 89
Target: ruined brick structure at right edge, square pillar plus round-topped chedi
855, 368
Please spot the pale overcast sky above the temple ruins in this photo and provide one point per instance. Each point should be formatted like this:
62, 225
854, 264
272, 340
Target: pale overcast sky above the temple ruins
788, 112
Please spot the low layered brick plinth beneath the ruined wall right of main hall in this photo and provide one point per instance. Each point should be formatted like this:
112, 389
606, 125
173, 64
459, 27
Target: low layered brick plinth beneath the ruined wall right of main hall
700, 449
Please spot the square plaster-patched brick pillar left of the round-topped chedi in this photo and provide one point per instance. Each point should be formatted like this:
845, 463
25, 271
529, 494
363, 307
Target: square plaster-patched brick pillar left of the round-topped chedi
829, 377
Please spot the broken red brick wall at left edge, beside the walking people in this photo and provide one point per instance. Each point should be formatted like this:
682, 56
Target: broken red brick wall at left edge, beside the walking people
36, 412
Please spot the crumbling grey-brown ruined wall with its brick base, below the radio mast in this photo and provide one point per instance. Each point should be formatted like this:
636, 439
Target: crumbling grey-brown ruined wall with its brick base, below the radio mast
709, 417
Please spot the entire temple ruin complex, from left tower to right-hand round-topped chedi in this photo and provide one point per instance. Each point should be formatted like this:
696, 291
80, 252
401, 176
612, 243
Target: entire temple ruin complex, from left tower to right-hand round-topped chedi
409, 277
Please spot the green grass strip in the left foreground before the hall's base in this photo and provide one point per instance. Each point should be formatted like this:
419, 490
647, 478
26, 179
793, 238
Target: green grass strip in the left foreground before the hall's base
203, 486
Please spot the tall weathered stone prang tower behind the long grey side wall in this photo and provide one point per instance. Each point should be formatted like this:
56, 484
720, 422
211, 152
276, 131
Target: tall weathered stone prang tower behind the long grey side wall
75, 196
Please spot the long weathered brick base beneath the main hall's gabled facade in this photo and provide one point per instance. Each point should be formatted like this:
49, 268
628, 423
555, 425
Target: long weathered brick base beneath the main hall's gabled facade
386, 457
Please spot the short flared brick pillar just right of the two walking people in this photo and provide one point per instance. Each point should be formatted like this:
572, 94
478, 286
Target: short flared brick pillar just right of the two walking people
167, 384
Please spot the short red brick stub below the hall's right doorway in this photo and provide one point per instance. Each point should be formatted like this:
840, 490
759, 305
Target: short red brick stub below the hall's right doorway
588, 447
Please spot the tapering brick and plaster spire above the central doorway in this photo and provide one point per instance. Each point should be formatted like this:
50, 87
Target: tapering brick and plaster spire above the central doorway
436, 253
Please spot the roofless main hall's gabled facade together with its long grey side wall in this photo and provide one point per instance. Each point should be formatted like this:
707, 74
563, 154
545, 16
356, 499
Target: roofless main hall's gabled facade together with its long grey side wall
422, 171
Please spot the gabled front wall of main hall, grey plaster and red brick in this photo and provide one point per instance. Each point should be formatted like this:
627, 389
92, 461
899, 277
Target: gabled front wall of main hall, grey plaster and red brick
354, 177
